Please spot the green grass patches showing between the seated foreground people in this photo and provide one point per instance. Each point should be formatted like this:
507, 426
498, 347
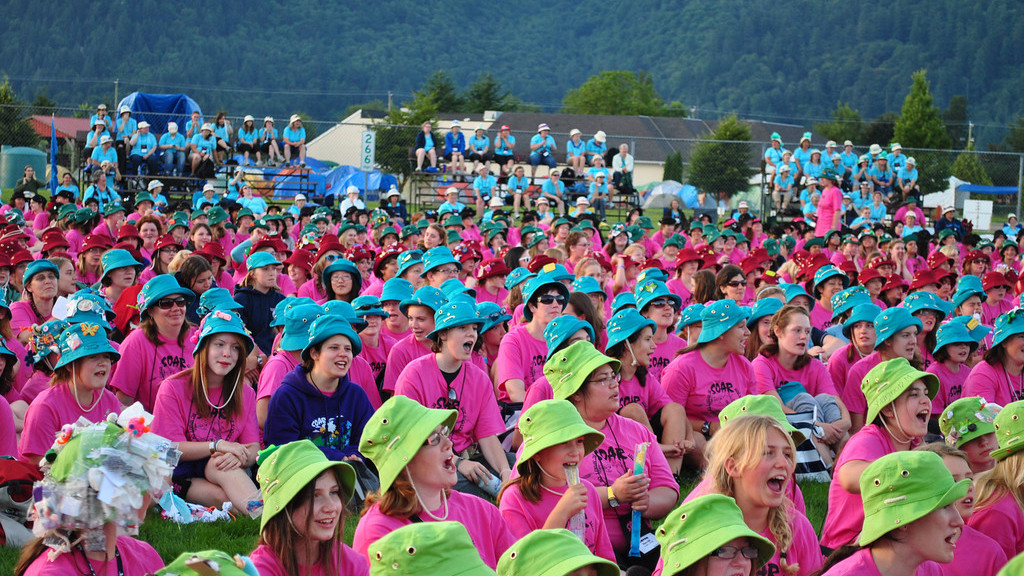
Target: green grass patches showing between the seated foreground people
240, 537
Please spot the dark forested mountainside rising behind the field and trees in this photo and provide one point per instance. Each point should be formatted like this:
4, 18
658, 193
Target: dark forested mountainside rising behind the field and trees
785, 61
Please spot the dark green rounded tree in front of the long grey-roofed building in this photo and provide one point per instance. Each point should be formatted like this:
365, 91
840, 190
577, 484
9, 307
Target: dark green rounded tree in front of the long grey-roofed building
723, 167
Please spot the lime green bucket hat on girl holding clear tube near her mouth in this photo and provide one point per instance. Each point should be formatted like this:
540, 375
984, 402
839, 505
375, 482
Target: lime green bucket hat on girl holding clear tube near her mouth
551, 423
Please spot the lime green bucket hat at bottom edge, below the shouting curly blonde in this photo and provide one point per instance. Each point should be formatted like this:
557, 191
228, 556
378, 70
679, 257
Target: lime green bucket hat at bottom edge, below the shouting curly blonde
700, 527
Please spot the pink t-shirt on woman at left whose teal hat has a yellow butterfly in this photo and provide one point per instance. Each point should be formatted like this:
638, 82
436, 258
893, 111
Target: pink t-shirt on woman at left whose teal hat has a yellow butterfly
55, 408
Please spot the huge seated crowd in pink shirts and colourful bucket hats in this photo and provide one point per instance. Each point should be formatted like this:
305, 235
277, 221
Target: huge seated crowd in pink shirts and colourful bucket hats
482, 391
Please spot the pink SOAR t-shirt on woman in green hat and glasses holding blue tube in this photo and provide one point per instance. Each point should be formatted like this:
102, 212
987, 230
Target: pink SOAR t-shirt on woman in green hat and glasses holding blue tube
615, 458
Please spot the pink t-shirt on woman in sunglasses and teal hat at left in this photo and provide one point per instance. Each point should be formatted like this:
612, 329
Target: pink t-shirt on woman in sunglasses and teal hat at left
144, 366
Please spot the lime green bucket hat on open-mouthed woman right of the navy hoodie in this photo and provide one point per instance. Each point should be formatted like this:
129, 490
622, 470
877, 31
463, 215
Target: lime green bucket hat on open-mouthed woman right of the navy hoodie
397, 432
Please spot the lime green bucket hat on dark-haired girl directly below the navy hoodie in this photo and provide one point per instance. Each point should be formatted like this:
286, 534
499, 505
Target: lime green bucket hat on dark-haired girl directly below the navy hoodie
285, 471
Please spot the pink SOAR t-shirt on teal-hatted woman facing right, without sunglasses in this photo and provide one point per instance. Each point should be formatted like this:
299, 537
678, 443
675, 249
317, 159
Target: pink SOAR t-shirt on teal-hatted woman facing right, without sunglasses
705, 391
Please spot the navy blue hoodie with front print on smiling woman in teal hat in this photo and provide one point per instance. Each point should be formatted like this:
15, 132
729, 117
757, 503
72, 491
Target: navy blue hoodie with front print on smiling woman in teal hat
334, 424
